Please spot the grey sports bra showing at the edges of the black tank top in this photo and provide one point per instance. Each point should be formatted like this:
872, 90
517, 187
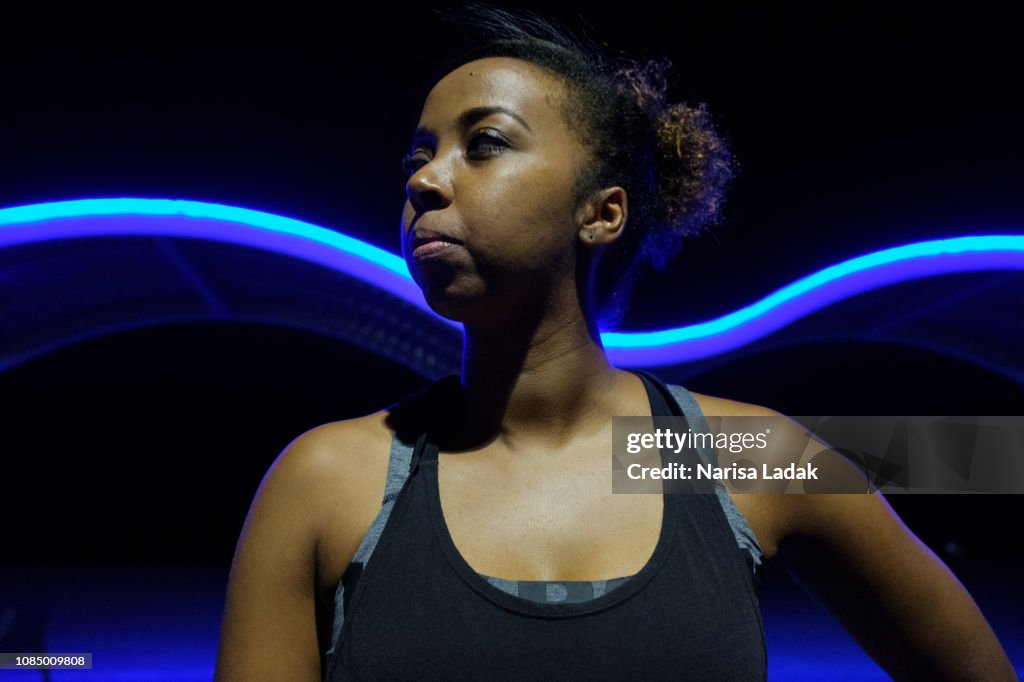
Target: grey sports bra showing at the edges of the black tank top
558, 591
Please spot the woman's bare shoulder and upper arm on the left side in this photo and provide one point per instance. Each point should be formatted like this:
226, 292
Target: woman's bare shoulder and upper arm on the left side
273, 626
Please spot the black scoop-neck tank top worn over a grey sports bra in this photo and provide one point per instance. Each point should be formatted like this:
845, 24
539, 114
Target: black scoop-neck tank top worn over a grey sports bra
419, 612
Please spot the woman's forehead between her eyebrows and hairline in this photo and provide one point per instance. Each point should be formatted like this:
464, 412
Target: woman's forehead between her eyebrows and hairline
528, 90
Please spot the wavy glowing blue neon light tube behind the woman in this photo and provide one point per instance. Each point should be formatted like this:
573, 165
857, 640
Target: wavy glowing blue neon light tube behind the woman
100, 218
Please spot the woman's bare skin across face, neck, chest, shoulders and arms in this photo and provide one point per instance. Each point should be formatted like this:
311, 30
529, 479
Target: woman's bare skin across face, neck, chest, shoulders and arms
537, 383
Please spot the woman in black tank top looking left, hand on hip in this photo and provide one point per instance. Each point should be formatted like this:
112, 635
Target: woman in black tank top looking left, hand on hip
542, 176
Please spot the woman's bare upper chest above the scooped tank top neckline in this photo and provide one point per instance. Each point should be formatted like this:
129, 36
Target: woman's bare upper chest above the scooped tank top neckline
545, 519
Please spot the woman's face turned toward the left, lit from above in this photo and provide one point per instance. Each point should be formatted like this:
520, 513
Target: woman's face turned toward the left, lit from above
493, 164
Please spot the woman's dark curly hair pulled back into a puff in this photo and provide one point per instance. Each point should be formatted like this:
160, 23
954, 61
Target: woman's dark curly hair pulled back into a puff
673, 164
